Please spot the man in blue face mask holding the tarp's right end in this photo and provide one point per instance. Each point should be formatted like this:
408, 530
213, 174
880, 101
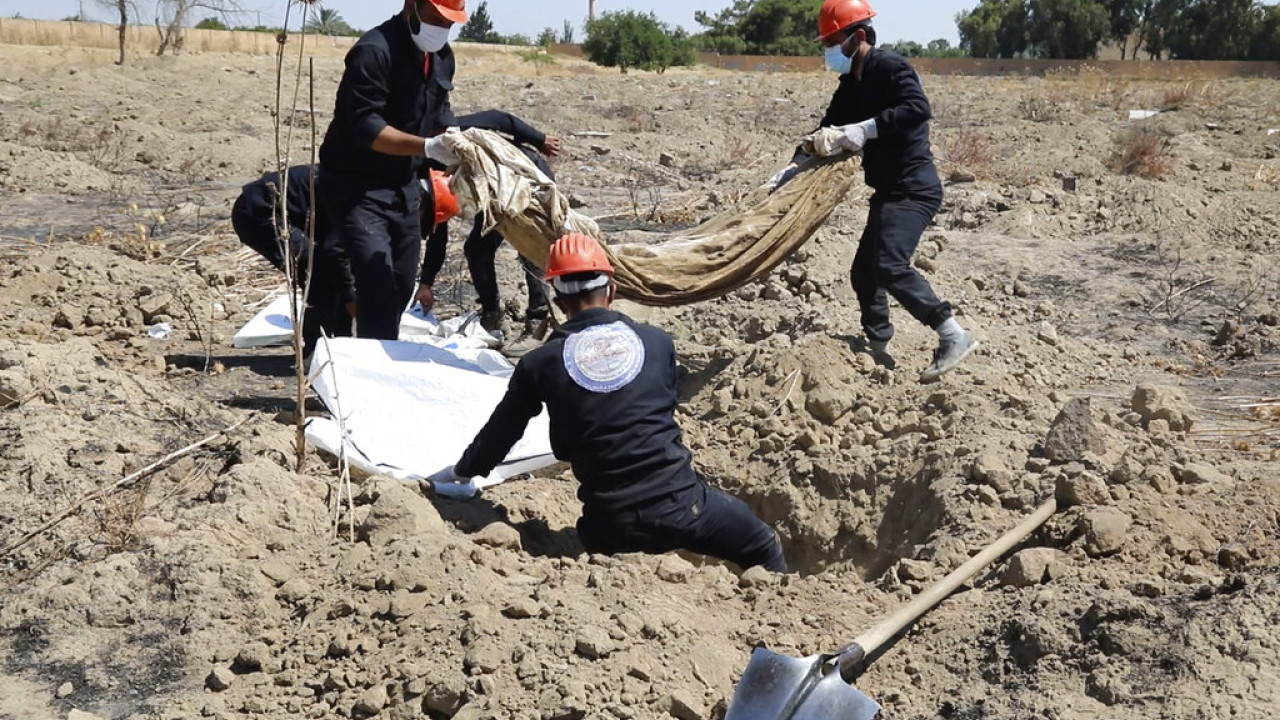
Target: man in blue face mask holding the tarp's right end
881, 111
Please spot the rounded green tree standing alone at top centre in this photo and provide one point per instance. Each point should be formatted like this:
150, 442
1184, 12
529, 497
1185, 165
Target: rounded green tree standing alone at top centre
636, 40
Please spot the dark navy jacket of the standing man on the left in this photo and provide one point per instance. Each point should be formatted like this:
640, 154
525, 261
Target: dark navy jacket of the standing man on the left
385, 85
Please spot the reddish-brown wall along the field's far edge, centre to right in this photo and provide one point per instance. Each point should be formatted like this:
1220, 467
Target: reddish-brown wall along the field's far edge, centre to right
1139, 70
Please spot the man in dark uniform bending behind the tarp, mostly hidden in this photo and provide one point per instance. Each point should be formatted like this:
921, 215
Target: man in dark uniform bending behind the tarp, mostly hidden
482, 248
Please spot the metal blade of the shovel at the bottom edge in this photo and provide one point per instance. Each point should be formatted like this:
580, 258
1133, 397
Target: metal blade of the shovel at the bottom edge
778, 687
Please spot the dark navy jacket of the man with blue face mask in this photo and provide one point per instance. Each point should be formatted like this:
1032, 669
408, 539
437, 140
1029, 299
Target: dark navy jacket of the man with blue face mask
899, 160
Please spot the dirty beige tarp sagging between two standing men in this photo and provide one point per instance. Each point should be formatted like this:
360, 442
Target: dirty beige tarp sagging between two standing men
710, 261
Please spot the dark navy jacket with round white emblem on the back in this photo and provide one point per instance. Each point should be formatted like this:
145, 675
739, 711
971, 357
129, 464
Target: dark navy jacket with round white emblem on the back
624, 444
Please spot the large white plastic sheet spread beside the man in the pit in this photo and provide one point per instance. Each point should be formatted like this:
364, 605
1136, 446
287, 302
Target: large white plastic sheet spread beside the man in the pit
413, 408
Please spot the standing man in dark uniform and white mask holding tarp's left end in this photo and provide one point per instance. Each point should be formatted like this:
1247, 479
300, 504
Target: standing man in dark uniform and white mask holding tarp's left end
392, 101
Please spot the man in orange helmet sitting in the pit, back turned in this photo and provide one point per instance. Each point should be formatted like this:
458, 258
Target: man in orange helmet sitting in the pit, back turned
610, 389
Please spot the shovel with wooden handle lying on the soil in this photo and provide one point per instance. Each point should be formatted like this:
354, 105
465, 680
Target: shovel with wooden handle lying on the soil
778, 687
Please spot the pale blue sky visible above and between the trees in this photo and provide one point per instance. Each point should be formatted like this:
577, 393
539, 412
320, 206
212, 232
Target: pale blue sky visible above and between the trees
907, 20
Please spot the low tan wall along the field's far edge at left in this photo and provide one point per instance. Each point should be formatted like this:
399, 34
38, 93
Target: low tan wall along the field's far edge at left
143, 39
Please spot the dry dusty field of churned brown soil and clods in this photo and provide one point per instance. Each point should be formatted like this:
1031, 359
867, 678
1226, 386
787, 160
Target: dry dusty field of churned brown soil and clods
217, 589
